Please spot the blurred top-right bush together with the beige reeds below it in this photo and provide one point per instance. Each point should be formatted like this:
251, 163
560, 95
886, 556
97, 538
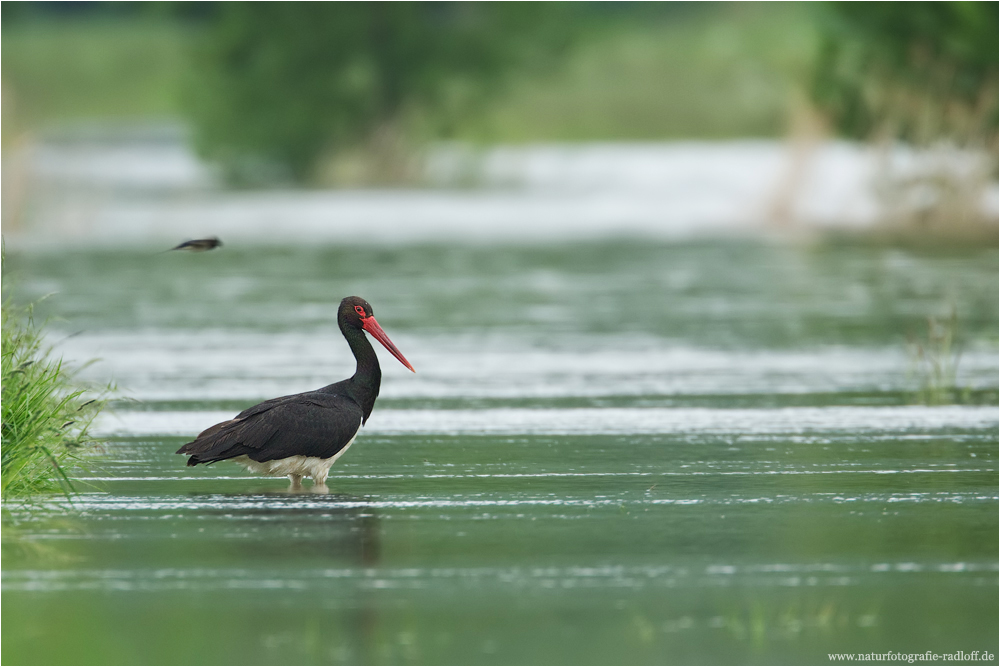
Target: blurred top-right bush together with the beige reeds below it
923, 73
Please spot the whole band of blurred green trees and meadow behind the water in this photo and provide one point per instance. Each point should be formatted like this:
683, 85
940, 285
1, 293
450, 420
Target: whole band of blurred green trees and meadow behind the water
304, 90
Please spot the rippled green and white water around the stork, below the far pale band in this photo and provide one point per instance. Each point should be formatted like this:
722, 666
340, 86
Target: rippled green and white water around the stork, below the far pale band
611, 452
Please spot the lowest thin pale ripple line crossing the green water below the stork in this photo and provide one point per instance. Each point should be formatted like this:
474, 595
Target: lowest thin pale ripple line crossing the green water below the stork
516, 578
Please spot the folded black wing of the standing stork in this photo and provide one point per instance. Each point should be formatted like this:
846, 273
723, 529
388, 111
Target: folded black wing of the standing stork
309, 424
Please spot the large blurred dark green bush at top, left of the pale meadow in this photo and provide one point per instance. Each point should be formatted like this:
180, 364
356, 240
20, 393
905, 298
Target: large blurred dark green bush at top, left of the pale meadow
280, 84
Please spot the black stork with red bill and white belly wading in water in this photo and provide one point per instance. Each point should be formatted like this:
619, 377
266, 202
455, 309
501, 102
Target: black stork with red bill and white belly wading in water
302, 435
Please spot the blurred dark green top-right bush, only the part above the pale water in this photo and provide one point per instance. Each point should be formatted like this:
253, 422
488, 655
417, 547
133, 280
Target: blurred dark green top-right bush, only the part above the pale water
918, 71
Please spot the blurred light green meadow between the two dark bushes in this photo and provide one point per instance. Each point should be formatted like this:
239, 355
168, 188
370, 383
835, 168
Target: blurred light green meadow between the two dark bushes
713, 71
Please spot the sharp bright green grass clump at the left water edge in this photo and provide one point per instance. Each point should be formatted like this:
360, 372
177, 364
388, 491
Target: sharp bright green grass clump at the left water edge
45, 416
